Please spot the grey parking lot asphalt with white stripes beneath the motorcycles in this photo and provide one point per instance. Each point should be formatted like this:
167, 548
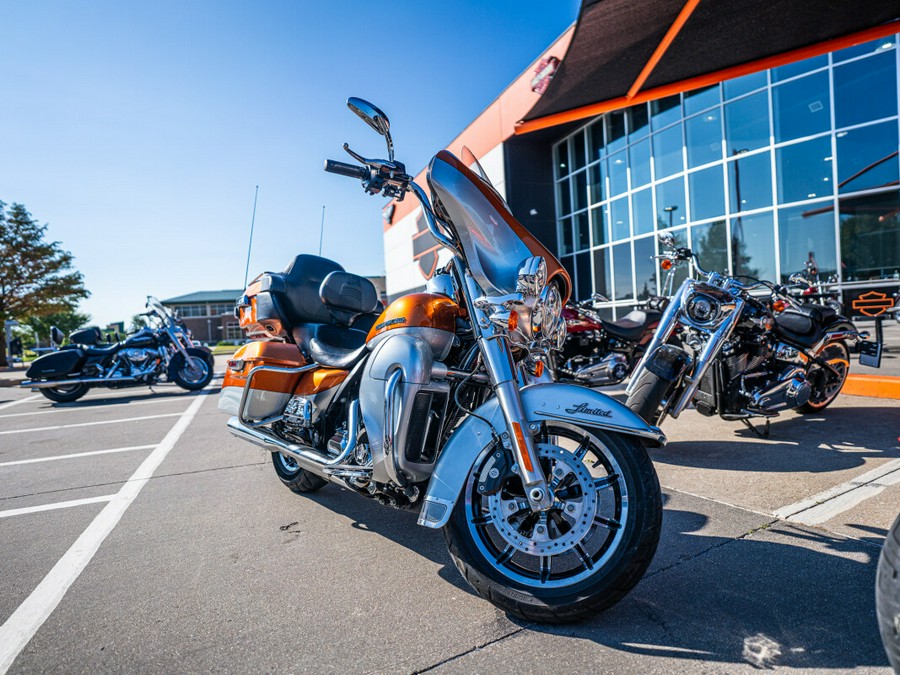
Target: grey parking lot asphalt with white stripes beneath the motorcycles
137, 535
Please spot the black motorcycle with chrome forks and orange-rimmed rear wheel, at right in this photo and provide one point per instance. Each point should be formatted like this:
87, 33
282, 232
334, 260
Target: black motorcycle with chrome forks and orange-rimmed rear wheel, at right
743, 348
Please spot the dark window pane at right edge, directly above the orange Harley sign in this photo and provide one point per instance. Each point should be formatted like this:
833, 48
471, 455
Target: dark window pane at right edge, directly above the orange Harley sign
870, 237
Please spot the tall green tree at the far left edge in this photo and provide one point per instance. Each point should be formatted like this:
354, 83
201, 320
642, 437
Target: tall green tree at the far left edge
37, 277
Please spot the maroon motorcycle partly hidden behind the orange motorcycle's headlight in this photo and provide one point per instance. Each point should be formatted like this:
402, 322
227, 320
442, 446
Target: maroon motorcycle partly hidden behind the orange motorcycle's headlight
598, 352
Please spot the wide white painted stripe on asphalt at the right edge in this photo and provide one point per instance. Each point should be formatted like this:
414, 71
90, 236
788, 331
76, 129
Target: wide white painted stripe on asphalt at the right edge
826, 505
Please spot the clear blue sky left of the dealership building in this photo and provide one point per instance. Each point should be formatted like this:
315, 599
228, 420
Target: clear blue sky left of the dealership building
138, 130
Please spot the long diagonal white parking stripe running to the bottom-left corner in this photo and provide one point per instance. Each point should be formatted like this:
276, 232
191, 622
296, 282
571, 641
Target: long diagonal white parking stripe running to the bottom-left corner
31, 614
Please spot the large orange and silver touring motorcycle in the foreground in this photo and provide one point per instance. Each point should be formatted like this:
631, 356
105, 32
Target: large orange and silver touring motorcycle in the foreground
440, 403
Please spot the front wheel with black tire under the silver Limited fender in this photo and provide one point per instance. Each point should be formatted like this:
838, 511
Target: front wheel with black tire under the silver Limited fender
583, 554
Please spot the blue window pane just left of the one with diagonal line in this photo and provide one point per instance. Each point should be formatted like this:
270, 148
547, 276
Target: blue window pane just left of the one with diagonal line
804, 170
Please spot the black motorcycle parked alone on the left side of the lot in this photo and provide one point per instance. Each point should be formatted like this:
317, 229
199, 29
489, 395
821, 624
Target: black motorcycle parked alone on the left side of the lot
143, 358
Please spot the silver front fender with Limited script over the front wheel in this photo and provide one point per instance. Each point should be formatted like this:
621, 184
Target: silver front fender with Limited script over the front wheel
541, 402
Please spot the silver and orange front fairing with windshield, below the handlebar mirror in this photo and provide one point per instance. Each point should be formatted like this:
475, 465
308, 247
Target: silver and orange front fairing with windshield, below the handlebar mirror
494, 243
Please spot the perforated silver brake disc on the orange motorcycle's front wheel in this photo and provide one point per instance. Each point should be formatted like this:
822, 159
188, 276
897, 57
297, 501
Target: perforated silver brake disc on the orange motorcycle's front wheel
564, 524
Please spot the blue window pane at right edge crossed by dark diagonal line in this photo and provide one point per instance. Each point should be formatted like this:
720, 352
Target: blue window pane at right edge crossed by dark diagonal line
864, 157
